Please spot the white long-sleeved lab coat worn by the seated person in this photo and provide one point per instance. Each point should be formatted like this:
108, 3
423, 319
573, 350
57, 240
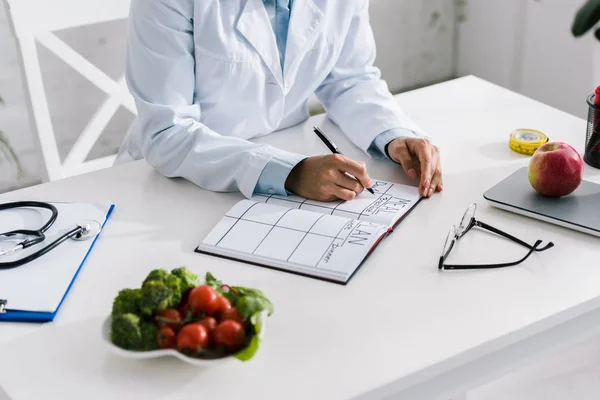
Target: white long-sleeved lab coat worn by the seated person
206, 78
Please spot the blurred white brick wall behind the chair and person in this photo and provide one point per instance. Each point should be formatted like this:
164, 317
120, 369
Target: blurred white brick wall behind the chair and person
414, 41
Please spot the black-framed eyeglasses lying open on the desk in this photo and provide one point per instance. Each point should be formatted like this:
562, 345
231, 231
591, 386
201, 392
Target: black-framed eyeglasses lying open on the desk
468, 222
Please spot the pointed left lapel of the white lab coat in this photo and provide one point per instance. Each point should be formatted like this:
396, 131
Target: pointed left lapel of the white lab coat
255, 26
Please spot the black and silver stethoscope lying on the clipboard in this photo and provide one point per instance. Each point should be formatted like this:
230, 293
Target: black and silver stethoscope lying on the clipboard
81, 231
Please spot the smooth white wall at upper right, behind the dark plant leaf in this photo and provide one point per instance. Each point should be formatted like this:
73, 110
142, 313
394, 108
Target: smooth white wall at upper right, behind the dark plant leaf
527, 46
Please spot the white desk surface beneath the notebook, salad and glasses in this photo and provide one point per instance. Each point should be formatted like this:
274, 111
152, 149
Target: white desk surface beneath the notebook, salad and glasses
399, 321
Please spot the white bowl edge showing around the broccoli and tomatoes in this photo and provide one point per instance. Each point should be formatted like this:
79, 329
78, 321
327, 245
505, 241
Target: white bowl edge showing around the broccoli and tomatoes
140, 355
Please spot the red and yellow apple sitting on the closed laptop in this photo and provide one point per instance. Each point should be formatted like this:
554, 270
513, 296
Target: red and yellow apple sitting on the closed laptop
555, 169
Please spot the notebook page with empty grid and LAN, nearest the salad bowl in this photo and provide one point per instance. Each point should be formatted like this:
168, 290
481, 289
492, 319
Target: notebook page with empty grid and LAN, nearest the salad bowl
316, 244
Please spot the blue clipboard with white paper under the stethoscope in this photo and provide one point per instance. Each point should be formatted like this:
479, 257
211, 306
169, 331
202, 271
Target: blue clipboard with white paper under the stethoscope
34, 292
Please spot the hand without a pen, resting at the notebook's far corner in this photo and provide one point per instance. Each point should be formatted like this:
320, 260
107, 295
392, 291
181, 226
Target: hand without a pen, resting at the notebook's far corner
420, 160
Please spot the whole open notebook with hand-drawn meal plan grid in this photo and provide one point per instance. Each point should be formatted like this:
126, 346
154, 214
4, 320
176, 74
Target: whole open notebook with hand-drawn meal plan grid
326, 240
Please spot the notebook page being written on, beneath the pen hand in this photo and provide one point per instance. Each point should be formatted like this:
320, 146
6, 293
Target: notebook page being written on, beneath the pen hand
389, 203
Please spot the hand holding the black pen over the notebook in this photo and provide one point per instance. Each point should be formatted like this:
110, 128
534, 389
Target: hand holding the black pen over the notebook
324, 178
